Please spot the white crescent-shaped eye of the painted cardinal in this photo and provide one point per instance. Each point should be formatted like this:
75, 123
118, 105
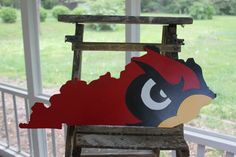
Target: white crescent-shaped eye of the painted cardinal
148, 101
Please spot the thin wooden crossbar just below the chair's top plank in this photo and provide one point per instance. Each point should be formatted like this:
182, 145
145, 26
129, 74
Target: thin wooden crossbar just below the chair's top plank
109, 46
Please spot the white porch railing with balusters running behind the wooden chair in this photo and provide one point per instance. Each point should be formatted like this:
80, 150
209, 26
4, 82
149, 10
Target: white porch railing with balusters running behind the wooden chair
14, 107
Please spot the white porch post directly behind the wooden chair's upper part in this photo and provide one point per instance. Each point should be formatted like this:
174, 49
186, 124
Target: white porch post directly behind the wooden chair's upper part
132, 31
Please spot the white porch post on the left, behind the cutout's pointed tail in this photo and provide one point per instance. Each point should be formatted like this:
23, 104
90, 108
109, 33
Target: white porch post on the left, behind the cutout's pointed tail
30, 26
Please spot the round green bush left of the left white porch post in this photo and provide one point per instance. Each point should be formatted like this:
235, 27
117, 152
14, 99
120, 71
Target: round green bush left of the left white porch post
8, 15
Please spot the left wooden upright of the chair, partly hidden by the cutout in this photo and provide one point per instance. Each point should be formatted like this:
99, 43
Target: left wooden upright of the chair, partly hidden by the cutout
76, 73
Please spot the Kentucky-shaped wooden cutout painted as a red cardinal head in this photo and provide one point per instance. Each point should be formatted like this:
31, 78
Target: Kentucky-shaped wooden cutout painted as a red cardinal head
153, 90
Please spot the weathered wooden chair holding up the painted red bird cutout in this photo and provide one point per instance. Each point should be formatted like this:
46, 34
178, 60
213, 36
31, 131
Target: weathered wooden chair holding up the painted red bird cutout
124, 137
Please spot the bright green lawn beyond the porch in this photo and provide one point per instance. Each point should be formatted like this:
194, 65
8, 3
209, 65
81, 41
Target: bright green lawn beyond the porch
212, 43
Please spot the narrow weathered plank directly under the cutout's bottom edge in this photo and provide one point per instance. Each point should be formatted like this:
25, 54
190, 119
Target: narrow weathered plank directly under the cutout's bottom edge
130, 130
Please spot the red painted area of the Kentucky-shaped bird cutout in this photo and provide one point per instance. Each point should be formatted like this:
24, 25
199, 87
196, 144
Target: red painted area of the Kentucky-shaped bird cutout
102, 102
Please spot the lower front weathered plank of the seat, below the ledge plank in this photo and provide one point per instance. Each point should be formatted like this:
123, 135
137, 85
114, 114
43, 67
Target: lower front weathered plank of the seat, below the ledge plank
130, 142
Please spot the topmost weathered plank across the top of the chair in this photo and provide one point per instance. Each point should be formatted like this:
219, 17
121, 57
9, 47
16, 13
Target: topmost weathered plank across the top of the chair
124, 19
